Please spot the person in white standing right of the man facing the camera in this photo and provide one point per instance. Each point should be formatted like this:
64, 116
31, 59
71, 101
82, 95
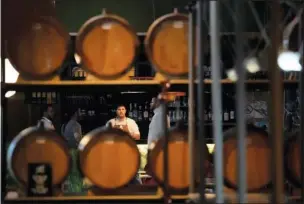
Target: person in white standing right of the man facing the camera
155, 130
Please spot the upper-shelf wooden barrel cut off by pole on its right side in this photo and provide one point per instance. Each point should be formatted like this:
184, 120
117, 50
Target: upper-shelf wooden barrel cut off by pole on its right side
166, 45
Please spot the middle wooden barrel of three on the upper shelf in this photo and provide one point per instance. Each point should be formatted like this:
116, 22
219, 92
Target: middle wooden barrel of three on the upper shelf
107, 46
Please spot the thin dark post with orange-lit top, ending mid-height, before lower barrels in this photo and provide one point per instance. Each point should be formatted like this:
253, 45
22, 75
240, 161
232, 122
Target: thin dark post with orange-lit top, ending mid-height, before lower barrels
166, 139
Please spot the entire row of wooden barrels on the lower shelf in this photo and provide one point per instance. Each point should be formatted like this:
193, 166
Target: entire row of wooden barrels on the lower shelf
110, 158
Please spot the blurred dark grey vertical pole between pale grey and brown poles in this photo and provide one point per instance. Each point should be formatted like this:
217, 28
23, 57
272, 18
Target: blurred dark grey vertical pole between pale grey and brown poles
240, 104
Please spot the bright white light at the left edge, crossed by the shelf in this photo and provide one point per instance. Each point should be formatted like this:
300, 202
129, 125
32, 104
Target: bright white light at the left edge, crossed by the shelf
11, 76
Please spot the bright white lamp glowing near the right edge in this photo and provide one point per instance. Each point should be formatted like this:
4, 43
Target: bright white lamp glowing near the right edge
289, 61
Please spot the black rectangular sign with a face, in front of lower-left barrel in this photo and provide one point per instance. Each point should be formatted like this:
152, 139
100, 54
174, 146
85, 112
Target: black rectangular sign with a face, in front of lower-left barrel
39, 179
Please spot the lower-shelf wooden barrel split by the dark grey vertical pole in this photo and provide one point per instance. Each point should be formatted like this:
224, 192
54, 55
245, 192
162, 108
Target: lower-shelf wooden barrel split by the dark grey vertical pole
258, 159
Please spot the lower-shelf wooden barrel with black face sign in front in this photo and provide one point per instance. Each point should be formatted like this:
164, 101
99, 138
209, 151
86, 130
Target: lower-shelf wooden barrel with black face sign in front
35, 145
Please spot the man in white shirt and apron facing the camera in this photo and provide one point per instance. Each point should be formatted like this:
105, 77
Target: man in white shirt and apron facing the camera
124, 123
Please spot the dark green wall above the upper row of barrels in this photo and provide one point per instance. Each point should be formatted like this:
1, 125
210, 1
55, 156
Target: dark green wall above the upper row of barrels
141, 13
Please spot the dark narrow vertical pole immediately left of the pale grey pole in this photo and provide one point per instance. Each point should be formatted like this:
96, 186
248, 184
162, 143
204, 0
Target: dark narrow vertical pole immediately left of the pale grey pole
200, 41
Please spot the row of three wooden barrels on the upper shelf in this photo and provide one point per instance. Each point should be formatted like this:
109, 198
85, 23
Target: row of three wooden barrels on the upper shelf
107, 46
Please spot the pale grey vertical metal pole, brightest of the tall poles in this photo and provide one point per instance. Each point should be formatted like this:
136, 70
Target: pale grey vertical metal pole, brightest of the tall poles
216, 100
